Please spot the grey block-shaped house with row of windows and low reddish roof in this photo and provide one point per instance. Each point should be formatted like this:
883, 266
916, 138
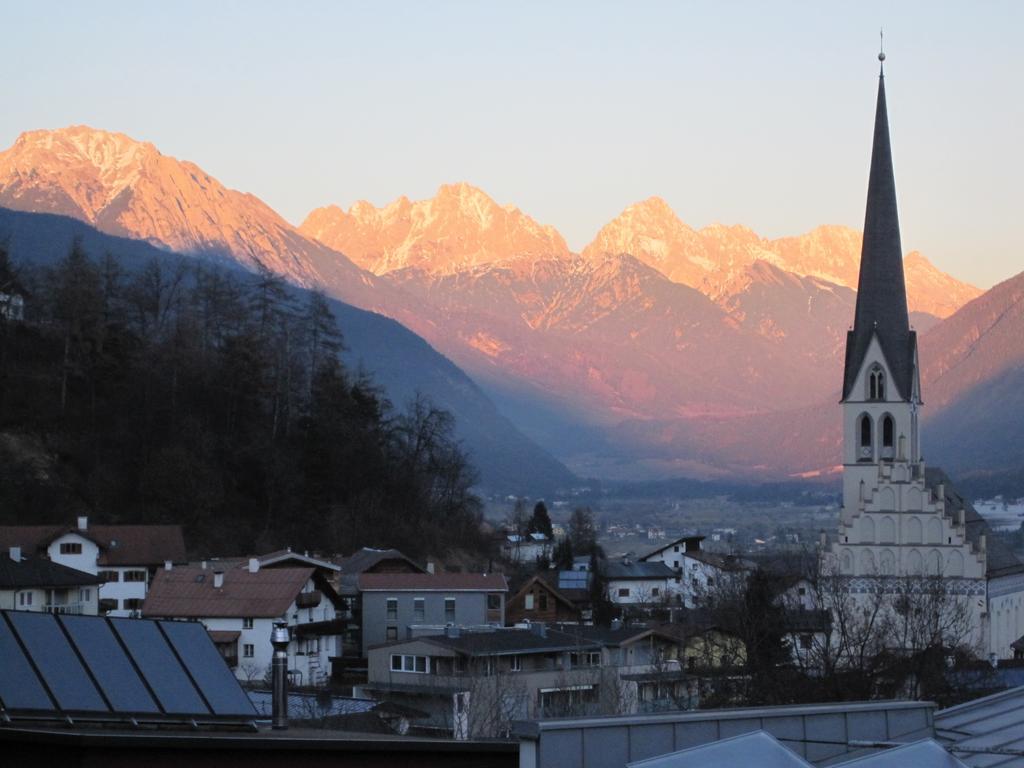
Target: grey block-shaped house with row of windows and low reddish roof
396, 606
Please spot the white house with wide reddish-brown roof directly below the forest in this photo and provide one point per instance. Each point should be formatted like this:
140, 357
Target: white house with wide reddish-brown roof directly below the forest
125, 558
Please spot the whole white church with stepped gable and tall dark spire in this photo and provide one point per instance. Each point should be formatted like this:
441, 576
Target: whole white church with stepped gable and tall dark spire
901, 520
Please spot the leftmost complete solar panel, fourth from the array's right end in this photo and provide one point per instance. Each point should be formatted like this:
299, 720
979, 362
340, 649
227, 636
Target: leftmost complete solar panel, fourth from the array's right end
57, 662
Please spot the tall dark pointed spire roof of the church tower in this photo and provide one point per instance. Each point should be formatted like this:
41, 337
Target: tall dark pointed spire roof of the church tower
881, 291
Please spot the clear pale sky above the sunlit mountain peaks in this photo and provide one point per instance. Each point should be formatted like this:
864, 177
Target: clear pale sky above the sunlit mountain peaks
749, 113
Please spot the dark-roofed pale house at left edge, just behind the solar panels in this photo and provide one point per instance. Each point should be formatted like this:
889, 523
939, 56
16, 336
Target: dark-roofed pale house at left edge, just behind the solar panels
40, 585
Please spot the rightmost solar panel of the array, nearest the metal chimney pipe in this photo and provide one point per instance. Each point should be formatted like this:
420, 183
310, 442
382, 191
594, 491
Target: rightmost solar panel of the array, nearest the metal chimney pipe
207, 667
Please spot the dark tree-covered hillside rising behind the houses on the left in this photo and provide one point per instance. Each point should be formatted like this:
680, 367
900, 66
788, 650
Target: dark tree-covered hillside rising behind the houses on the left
181, 393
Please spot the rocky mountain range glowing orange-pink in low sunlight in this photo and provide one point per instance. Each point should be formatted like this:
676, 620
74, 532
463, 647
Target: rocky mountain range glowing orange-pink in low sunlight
659, 350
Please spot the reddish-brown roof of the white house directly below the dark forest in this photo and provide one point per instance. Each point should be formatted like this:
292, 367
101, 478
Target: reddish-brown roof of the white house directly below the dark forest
119, 545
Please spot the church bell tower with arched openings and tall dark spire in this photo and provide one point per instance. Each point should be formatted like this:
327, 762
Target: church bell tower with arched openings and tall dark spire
881, 382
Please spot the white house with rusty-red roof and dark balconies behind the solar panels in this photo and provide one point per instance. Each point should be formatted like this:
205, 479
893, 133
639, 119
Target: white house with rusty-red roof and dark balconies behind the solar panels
239, 606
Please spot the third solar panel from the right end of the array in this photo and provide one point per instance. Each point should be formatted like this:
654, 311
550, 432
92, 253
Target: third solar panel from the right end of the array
110, 665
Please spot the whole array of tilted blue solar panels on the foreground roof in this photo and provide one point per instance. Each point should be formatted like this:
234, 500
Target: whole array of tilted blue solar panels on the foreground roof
114, 669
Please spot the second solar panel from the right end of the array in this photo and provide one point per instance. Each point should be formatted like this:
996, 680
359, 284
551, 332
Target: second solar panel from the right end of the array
160, 667
